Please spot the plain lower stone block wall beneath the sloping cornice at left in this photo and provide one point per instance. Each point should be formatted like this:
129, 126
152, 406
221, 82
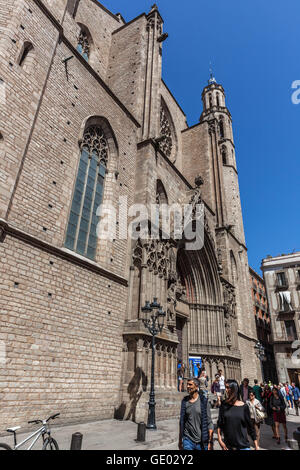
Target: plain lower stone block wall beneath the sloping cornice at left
63, 349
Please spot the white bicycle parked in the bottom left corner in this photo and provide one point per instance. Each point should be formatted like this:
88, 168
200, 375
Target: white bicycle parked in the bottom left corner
48, 442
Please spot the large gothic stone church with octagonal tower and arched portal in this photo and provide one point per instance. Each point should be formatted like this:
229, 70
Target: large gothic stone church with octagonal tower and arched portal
87, 118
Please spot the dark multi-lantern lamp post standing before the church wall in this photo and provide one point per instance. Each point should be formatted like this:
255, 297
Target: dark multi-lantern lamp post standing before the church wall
153, 320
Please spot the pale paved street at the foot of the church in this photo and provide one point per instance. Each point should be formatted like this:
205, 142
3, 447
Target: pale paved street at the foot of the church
121, 435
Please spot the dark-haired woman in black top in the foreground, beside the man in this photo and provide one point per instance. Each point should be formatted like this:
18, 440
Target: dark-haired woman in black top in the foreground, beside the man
234, 421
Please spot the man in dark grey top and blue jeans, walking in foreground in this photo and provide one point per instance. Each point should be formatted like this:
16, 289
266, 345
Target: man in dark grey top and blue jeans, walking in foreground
195, 427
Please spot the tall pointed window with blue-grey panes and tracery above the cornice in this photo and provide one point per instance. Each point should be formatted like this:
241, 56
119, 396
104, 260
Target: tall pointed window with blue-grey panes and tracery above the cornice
81, 233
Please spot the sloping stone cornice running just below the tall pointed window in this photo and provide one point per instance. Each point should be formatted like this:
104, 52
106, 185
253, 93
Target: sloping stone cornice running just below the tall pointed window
63, 253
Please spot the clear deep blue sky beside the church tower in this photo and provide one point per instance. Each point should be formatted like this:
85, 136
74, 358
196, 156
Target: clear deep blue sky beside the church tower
254, 48
